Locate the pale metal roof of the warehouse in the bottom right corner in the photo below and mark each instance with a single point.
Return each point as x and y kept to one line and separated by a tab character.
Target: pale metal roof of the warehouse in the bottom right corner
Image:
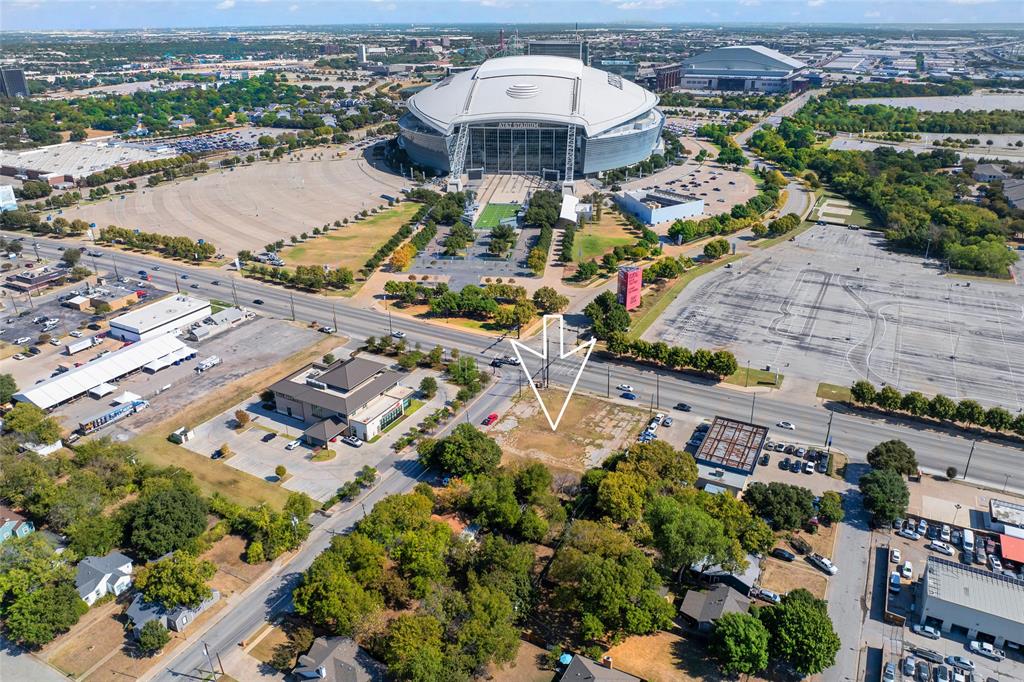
975	589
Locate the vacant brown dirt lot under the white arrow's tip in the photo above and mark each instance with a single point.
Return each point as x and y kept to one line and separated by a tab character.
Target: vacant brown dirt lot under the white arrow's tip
590	431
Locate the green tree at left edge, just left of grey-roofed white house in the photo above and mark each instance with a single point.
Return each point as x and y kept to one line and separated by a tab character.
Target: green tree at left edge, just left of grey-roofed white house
38	617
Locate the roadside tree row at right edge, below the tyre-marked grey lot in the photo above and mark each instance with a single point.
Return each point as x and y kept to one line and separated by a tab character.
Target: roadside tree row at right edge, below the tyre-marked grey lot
940	407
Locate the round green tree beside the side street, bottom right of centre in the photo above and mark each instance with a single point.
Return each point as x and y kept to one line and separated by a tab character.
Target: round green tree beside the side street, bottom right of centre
801	632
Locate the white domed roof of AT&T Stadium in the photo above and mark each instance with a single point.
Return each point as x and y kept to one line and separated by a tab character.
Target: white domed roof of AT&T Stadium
541	90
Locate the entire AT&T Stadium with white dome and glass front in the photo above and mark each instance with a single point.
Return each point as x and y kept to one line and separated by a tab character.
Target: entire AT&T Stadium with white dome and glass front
545	116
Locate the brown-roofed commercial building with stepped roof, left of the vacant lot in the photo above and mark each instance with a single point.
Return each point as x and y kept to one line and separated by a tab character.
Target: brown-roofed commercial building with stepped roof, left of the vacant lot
357	397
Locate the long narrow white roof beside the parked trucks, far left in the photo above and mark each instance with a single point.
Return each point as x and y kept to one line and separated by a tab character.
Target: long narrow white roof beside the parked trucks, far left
109	368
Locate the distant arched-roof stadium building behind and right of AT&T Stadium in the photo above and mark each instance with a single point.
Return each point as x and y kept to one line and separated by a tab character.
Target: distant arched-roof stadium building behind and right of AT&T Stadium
745	68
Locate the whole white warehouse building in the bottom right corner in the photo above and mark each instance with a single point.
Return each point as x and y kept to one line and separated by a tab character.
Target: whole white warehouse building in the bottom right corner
974	603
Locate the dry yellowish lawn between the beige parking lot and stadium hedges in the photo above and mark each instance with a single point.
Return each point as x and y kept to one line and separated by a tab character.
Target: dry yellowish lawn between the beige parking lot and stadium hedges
352	245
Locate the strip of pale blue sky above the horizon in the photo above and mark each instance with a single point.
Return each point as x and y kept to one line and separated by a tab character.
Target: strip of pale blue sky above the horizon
45	15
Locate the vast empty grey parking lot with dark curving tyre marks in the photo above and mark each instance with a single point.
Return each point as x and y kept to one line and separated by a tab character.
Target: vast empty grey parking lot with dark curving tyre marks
836	307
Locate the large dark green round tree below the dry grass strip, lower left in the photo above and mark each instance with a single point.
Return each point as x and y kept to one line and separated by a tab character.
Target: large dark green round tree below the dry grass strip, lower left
164	521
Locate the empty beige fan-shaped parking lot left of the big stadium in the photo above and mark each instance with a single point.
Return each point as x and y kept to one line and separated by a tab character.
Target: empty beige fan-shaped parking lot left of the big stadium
254	205
